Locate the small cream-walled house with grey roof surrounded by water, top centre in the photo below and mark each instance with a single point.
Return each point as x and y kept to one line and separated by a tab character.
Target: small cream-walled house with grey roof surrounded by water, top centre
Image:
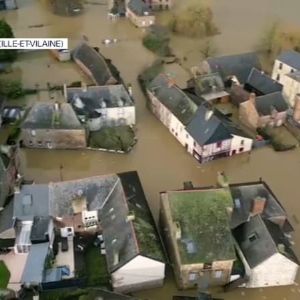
139	13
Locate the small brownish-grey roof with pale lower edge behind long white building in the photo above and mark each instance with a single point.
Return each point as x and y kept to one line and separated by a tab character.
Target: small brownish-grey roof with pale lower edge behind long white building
210	86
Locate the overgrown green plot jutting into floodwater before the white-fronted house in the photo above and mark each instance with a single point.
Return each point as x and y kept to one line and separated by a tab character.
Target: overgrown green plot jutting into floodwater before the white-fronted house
114	138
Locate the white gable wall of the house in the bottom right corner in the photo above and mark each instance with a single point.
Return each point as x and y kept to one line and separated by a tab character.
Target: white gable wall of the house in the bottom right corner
275	271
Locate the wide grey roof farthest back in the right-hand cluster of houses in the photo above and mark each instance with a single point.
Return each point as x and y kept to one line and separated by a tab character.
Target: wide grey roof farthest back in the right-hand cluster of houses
239	65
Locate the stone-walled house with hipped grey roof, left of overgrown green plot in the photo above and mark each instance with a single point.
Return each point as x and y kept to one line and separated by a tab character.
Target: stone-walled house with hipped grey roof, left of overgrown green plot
52	125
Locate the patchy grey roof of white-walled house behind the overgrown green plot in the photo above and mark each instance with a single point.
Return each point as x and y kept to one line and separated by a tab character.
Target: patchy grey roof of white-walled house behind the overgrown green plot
98	97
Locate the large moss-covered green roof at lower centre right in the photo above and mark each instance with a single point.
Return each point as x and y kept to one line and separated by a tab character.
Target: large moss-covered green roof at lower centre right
203	220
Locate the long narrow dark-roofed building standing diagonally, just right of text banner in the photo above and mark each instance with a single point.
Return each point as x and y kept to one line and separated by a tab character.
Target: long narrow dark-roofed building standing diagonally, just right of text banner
94	65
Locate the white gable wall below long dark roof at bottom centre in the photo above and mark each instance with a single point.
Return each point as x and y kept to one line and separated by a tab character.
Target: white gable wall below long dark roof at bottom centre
140	270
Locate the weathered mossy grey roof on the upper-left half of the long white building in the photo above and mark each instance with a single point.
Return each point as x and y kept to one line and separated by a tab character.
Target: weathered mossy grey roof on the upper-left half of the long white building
173	98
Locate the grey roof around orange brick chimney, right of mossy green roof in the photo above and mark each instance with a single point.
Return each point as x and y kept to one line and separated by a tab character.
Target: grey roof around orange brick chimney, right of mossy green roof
243	195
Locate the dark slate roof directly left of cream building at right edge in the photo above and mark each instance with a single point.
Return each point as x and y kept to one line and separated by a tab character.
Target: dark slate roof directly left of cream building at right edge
262	83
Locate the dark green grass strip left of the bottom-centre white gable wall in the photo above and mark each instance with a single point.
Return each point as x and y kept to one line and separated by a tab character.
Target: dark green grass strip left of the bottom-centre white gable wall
96	268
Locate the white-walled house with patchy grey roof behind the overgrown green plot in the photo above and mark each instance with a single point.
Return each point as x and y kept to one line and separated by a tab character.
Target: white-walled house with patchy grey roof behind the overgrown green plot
99	106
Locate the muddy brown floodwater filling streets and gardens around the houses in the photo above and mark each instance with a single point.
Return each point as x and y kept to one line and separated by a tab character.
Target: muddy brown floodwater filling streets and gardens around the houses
161	162
